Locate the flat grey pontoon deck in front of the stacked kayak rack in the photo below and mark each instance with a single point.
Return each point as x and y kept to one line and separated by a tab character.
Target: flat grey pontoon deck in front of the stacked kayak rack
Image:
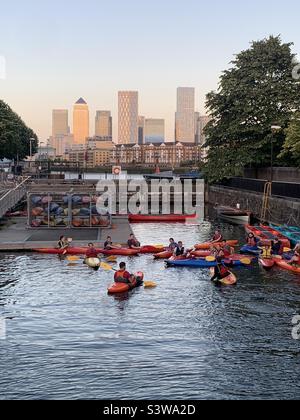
15	236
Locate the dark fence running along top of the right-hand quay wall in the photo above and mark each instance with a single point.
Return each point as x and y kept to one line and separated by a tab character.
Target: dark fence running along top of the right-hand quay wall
280	189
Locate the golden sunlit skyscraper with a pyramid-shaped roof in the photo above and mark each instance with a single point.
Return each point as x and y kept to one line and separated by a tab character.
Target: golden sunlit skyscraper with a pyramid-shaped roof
81	121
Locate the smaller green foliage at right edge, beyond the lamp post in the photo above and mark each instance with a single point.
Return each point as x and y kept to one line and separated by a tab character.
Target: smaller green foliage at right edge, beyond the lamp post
291	145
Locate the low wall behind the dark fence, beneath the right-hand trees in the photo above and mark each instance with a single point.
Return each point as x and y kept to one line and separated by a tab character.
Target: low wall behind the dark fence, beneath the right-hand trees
279	174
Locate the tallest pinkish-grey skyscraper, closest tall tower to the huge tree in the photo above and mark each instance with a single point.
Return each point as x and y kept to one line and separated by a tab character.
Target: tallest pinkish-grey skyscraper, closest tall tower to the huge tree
185	115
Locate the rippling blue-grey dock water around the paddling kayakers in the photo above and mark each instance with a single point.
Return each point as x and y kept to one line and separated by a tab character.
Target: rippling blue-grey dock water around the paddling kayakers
185	339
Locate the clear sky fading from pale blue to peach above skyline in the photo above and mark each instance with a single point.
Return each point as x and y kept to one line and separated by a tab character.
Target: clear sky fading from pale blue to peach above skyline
57	51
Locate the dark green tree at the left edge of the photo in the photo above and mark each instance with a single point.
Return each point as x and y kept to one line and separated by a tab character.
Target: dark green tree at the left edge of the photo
15	136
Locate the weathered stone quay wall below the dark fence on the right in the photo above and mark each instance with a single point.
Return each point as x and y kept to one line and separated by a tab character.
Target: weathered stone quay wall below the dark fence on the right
281	210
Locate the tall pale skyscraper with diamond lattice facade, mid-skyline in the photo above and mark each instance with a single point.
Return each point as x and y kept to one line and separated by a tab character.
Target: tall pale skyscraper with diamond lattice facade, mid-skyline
128	117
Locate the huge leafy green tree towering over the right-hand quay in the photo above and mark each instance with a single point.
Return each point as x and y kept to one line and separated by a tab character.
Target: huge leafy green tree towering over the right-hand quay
257	92
